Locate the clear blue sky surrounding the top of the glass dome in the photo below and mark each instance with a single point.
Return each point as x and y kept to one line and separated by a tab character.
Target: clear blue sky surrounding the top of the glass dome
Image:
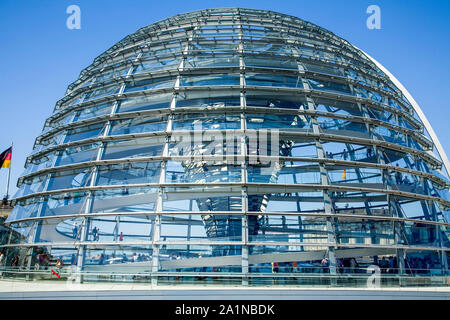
39	56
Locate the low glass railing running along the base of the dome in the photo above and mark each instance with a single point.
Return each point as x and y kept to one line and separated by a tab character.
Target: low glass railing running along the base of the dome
347	279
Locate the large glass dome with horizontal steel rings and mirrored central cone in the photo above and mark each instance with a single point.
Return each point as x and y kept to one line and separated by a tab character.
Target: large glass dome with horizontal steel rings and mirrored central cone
233	142
